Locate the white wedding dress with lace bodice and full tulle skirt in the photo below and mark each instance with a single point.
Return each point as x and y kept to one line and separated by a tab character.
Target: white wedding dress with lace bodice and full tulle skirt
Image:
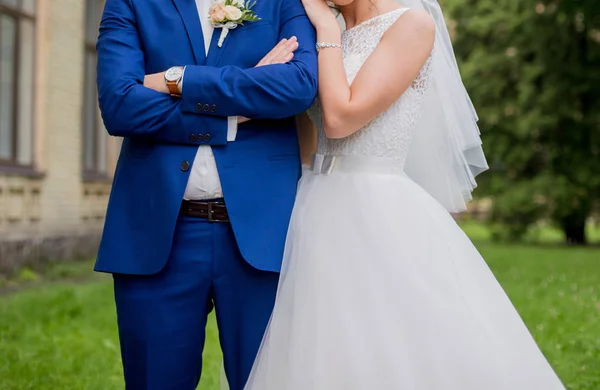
380	289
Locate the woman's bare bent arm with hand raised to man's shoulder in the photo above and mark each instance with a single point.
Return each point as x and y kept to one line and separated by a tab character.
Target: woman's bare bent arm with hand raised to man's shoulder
384	77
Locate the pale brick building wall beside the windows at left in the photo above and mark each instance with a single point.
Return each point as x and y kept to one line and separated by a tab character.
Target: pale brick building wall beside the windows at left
51	209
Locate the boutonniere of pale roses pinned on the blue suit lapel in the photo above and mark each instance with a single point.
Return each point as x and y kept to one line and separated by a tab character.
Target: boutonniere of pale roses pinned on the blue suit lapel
228	14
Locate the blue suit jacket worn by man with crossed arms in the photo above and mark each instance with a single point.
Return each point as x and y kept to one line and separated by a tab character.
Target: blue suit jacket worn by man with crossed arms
259	171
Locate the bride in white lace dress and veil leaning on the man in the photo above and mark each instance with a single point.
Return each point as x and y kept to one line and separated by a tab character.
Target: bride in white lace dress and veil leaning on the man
380	289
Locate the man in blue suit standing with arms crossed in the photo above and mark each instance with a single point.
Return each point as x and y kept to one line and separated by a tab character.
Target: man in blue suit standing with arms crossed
199	208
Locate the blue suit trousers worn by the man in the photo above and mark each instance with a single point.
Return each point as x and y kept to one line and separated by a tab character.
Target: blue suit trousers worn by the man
162	317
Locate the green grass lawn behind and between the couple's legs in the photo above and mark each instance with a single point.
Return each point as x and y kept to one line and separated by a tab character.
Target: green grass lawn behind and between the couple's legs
62	335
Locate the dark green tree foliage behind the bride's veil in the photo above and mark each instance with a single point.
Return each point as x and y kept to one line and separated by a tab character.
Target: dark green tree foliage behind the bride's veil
533	71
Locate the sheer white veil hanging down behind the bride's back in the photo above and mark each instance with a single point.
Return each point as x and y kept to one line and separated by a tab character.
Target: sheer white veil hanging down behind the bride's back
445	154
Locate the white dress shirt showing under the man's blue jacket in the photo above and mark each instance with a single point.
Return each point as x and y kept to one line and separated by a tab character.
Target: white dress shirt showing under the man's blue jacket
204	182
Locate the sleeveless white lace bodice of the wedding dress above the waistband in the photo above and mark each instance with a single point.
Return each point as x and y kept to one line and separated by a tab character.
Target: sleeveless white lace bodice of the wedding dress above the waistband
389	134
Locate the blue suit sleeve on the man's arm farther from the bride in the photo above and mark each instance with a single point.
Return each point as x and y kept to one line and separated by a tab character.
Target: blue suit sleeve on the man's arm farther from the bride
128	108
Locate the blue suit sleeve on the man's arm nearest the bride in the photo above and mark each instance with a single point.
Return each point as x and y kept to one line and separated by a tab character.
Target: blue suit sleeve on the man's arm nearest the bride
267	92
